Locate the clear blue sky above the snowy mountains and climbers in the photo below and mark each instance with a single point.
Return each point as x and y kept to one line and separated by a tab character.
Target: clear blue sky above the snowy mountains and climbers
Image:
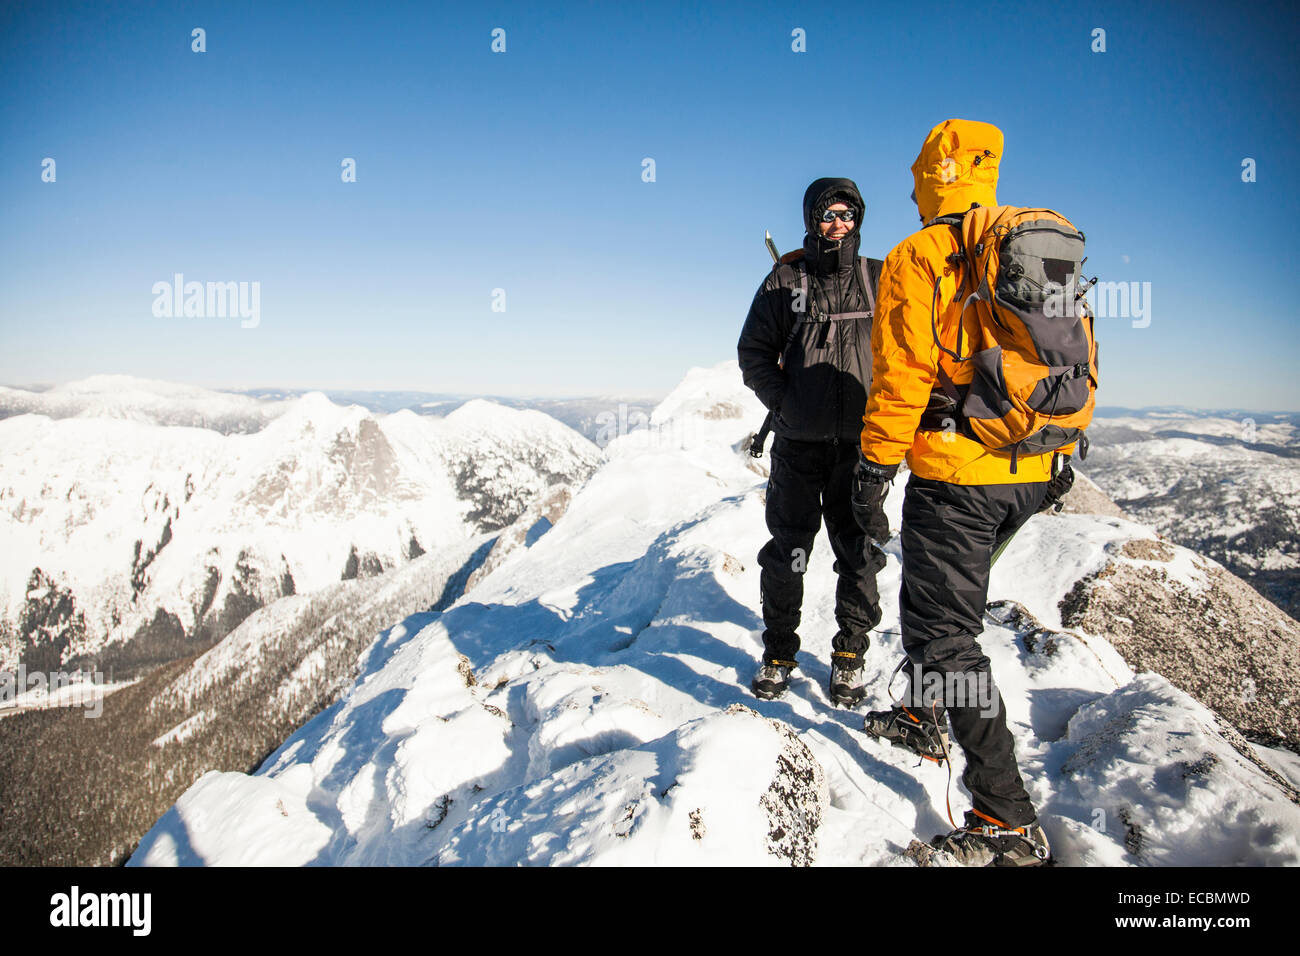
522	171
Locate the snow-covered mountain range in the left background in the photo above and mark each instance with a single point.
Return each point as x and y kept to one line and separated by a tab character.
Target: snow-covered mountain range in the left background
125	529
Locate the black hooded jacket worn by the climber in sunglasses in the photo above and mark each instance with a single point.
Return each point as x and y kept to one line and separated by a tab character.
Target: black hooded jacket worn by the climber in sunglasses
821	395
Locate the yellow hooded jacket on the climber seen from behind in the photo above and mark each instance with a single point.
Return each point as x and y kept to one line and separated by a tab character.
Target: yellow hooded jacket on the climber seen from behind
903	341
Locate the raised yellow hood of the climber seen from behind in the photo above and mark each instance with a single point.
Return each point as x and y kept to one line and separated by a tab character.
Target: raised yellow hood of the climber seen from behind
954	171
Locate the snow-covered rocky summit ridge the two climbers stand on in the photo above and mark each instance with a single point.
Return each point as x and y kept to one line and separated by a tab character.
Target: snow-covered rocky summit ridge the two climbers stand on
587	703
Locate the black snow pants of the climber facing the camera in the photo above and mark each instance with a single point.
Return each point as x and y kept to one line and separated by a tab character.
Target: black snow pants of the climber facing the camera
812	481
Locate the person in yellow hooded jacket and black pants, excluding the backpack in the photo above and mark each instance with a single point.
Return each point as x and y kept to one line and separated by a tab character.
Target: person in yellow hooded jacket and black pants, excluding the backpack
961	503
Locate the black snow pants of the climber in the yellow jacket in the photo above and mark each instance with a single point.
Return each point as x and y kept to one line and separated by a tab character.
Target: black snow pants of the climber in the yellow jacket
950	534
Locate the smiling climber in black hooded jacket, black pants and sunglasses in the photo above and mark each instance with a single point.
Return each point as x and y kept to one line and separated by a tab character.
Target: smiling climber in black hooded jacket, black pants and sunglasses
807	353
